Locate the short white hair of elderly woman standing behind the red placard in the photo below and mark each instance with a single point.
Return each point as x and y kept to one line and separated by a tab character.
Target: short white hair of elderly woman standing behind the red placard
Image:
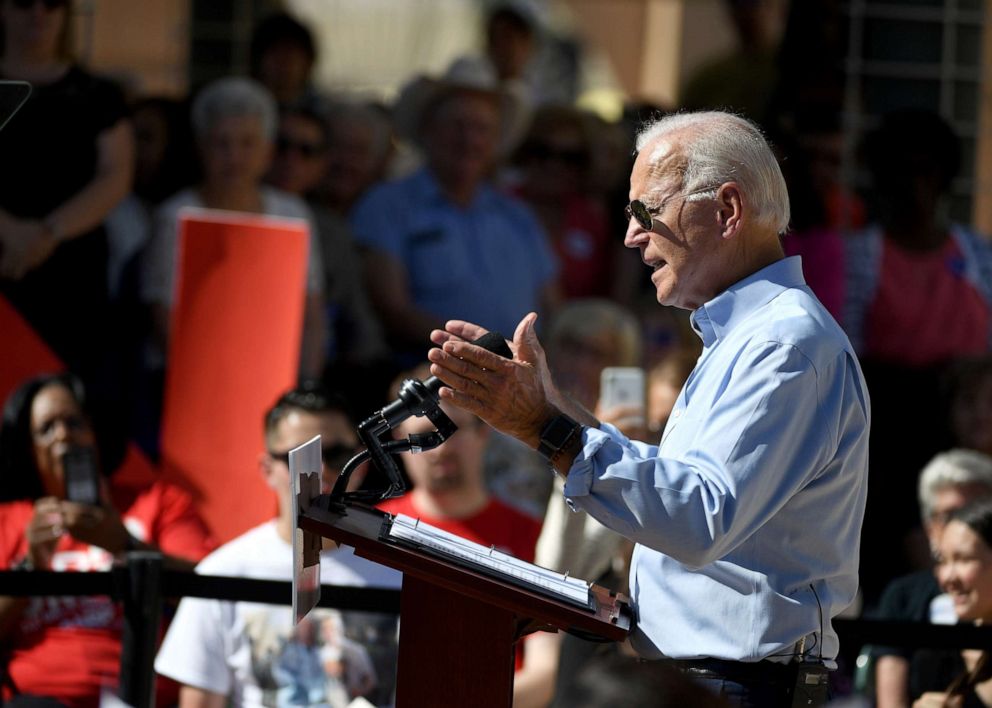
231	97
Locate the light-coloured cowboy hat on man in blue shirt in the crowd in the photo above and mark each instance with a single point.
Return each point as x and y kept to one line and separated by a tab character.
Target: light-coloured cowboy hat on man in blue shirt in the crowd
473	74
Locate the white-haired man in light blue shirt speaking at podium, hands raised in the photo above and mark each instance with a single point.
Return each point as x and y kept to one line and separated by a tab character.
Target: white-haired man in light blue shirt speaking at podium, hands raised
747	515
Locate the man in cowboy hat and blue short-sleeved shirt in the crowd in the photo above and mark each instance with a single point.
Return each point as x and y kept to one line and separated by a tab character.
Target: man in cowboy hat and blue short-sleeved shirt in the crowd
443	242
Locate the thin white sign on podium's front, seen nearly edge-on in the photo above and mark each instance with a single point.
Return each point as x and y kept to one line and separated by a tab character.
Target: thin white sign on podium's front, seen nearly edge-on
304	479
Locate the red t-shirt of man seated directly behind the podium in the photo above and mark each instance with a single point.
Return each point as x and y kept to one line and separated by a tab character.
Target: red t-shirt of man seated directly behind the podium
496	524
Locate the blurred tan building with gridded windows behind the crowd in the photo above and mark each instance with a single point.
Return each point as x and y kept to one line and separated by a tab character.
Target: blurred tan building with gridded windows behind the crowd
892	53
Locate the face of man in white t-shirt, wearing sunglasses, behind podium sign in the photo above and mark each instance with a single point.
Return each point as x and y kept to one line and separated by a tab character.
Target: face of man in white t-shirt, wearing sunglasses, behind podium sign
296	428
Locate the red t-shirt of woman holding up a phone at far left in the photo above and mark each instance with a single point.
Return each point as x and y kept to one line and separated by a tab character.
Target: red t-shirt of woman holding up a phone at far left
68	648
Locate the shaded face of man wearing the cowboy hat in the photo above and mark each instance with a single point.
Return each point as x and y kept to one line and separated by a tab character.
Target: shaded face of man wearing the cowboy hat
461	136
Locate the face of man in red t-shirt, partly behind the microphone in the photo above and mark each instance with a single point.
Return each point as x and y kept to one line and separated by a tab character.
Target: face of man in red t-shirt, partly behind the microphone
455	466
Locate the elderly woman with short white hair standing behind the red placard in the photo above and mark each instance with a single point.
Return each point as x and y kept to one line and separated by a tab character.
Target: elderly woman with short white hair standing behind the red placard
234	123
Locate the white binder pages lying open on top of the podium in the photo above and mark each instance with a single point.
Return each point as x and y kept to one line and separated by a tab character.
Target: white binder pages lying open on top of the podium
488	560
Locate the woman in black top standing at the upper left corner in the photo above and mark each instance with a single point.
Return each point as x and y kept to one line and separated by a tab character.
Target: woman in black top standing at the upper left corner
65	162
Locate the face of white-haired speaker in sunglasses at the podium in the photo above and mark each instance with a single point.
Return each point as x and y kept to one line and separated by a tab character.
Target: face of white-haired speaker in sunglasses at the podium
684	248
